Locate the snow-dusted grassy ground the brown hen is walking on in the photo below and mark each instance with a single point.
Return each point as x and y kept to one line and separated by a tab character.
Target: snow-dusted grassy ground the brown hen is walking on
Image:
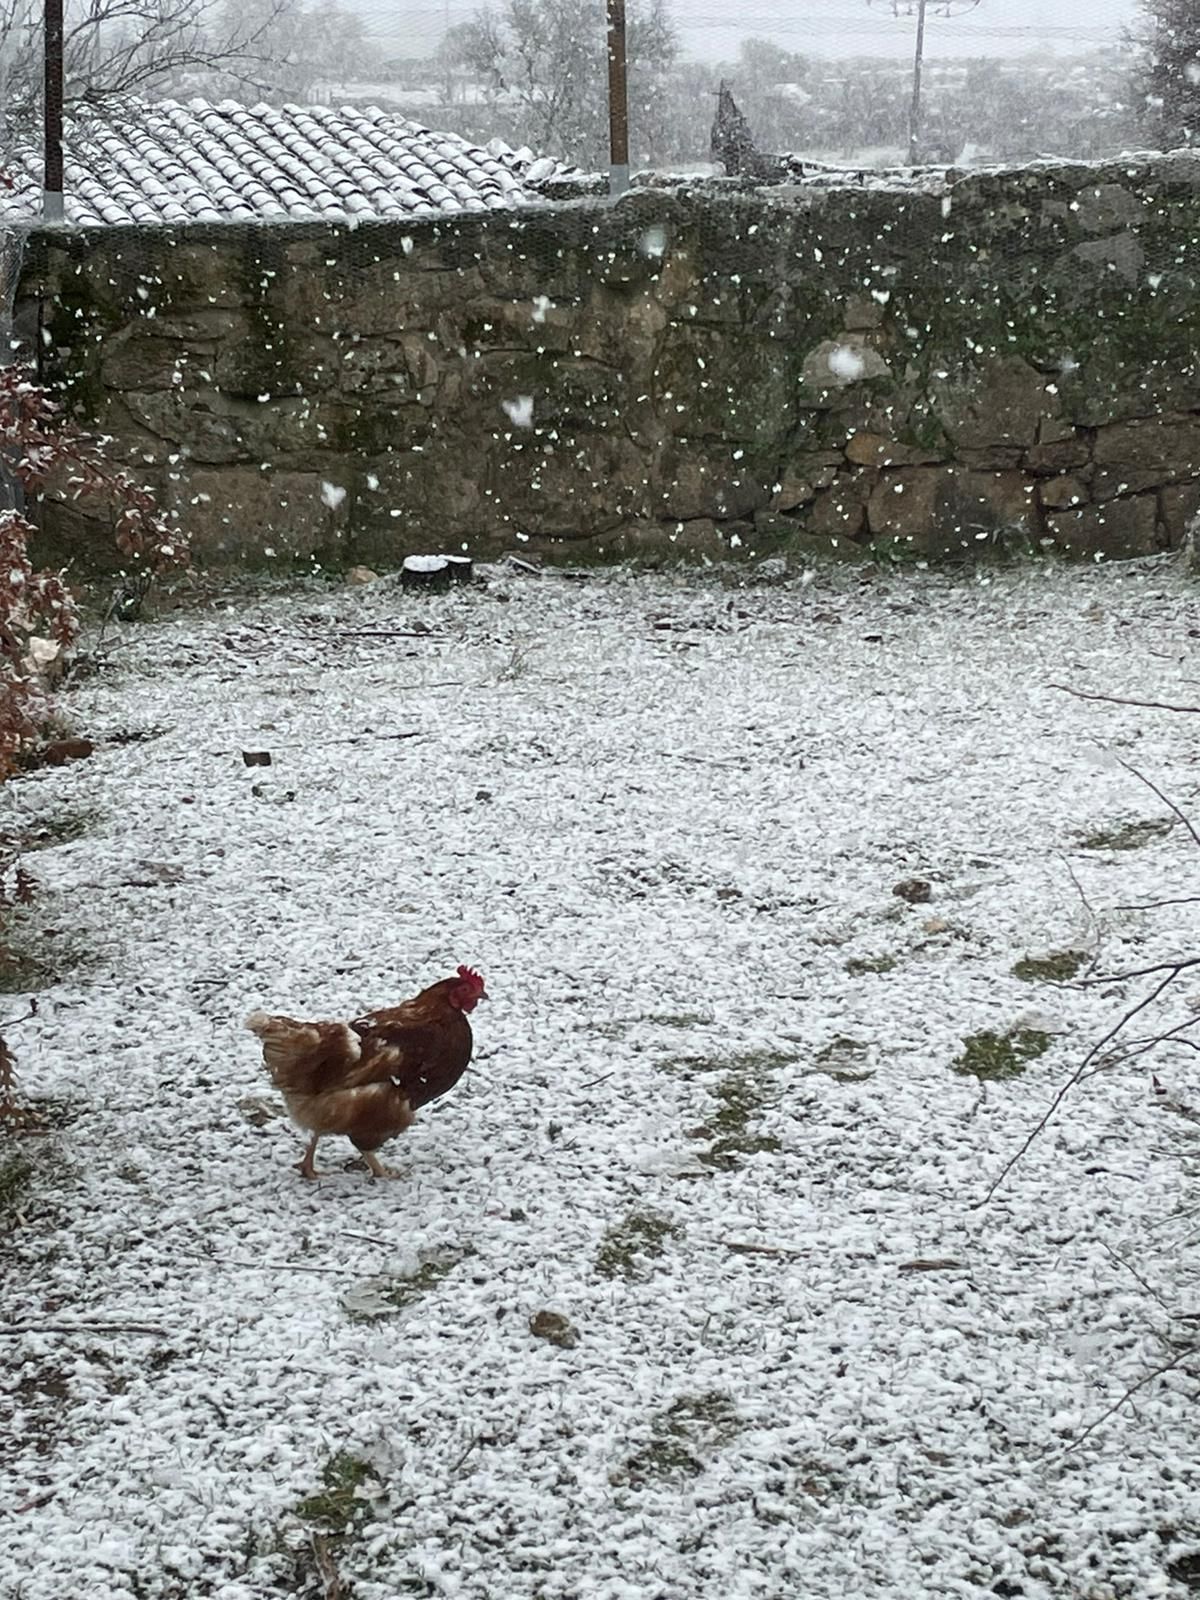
713	1121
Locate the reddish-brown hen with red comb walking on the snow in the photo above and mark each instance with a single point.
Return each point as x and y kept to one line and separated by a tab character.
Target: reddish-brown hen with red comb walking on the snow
367	1079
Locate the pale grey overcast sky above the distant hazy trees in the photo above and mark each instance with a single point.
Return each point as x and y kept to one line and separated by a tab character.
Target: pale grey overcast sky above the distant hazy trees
711	30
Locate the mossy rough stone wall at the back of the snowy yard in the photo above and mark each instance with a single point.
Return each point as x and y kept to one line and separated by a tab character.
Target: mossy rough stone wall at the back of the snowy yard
694	372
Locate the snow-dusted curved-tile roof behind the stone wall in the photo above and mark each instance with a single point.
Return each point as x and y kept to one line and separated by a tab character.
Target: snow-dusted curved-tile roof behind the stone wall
174	164
